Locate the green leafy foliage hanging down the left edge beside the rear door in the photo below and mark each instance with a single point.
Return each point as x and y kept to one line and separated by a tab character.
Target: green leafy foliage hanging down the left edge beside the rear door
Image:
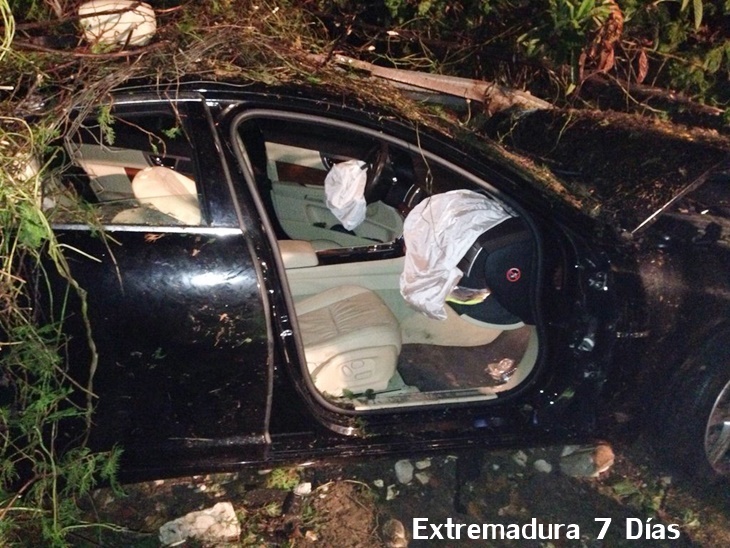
39	484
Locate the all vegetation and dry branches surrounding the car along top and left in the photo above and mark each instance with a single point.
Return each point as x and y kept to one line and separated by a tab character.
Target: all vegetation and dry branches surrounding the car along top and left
554	48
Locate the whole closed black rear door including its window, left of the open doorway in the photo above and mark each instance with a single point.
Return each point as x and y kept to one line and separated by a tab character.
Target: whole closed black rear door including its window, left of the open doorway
177	317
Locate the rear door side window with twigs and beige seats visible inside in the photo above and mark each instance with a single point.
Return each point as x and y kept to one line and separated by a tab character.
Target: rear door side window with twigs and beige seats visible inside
132	169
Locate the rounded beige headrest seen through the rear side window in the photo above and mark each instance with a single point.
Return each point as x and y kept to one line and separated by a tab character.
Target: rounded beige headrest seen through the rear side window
169	192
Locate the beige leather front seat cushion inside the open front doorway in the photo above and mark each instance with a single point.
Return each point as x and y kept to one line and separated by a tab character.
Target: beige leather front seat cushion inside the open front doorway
351	340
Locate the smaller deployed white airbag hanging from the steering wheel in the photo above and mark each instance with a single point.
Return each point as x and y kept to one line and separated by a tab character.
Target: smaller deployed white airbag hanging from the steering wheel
344	188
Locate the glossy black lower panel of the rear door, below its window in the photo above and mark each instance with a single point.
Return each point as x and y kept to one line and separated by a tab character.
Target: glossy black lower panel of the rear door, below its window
178	325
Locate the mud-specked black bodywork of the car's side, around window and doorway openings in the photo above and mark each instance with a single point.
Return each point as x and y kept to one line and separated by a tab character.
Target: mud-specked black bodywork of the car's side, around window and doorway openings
200	366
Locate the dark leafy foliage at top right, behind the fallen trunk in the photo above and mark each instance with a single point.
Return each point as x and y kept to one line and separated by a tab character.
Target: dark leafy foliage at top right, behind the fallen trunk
544	45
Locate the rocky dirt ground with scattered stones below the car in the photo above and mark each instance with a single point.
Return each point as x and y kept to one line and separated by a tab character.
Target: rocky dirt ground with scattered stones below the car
375	504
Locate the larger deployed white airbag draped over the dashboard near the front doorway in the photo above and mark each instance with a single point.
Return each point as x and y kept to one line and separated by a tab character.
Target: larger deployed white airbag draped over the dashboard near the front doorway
438	232
